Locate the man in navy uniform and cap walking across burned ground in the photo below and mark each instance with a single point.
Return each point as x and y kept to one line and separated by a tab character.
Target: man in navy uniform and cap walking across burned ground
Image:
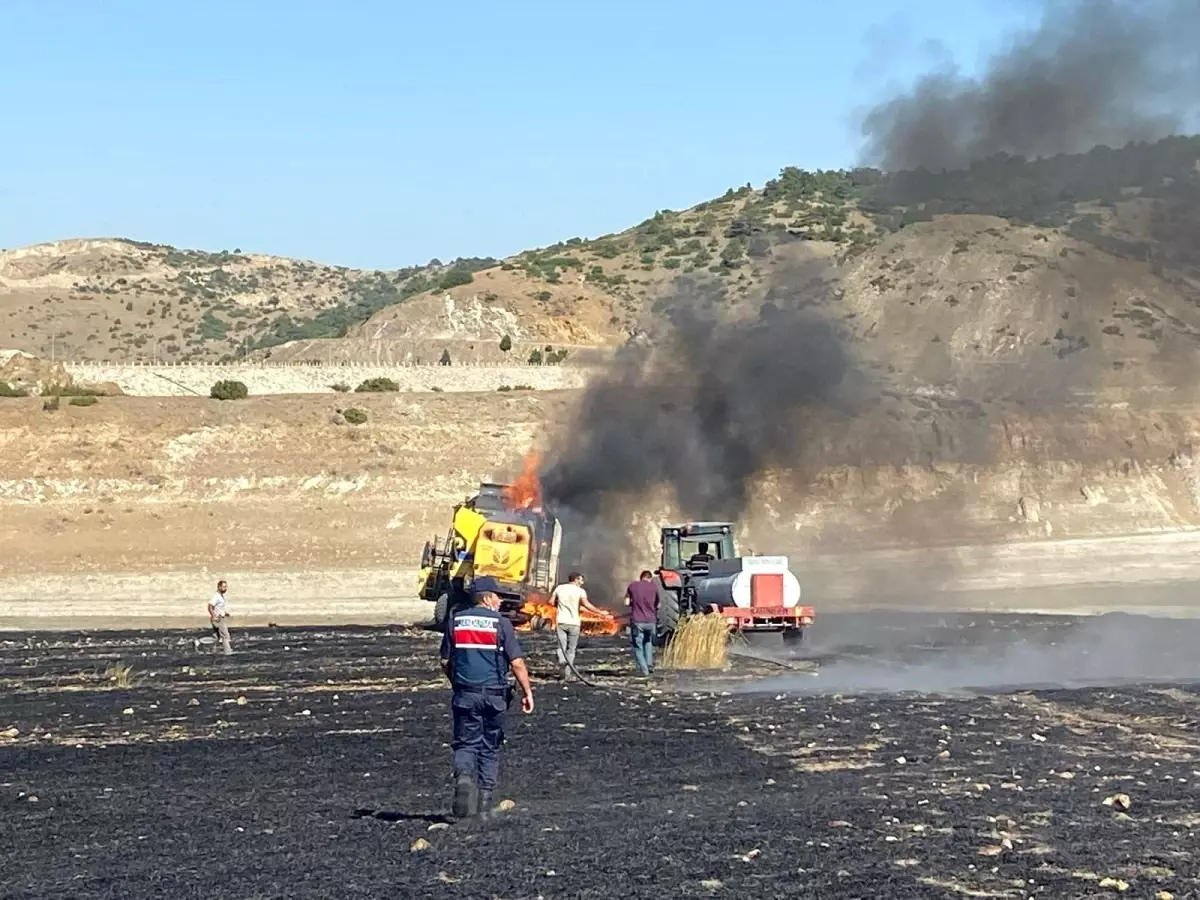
478	650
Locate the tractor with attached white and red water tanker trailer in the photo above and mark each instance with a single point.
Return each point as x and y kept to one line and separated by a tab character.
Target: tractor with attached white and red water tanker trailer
701	573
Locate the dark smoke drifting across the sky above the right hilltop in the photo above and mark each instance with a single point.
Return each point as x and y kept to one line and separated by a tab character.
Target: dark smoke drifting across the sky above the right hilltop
1094	73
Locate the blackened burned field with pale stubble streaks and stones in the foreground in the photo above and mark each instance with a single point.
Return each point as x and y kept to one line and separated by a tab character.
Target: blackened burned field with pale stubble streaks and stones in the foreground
315	764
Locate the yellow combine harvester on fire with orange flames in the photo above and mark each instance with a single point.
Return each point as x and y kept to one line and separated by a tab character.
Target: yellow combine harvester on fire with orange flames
502	532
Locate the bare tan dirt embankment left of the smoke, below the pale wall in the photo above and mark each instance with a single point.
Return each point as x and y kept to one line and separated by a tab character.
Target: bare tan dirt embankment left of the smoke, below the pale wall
145	483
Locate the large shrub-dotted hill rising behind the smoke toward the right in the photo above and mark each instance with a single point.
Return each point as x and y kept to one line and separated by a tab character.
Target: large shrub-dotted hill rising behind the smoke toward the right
944	271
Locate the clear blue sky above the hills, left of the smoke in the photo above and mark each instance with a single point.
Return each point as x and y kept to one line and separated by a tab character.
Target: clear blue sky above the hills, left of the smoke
379	135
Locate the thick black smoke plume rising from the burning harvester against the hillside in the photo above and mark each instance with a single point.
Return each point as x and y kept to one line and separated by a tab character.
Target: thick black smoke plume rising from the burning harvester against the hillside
701	410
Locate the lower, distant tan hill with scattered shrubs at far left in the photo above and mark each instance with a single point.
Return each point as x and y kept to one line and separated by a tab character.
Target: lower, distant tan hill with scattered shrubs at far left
115	299
